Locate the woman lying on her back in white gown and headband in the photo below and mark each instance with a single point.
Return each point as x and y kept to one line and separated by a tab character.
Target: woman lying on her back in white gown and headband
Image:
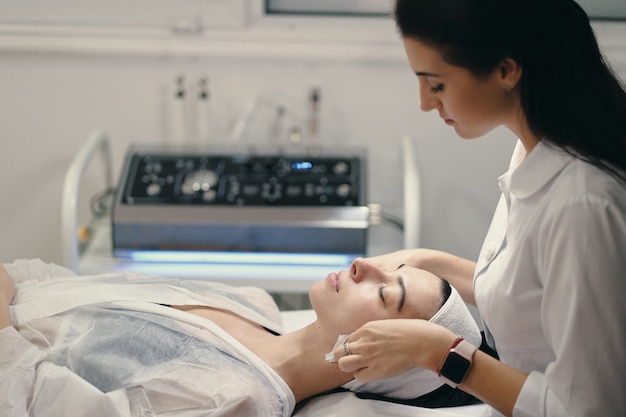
125	344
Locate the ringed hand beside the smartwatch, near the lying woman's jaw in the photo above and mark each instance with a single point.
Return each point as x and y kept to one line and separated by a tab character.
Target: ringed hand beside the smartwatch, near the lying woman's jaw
386	348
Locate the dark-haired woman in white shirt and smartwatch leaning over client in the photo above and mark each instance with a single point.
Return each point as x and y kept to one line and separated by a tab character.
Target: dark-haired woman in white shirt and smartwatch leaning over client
551	276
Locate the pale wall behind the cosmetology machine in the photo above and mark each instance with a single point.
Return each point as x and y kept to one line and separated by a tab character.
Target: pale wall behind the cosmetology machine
53	93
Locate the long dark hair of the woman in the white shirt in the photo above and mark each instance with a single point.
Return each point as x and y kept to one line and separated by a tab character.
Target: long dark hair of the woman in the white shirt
568	92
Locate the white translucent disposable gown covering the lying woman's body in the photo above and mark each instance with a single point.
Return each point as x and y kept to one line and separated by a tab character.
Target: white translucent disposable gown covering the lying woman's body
108	348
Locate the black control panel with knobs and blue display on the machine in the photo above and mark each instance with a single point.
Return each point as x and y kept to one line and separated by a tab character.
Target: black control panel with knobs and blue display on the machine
242	180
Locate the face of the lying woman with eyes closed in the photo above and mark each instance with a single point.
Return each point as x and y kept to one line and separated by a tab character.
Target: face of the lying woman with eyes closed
346	300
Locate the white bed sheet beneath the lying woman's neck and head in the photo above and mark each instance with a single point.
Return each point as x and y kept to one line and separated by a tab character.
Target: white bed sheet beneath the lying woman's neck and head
346	404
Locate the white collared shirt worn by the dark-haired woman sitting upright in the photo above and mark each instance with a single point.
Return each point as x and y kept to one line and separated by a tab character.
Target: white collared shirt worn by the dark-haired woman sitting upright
550	284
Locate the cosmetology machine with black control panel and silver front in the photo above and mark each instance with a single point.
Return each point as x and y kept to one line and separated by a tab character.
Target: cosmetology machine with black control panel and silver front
175	202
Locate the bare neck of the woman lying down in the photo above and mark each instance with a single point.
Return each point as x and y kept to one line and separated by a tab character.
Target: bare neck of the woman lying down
299	358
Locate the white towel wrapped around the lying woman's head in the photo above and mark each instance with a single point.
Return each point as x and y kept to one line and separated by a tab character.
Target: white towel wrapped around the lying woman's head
416	382
